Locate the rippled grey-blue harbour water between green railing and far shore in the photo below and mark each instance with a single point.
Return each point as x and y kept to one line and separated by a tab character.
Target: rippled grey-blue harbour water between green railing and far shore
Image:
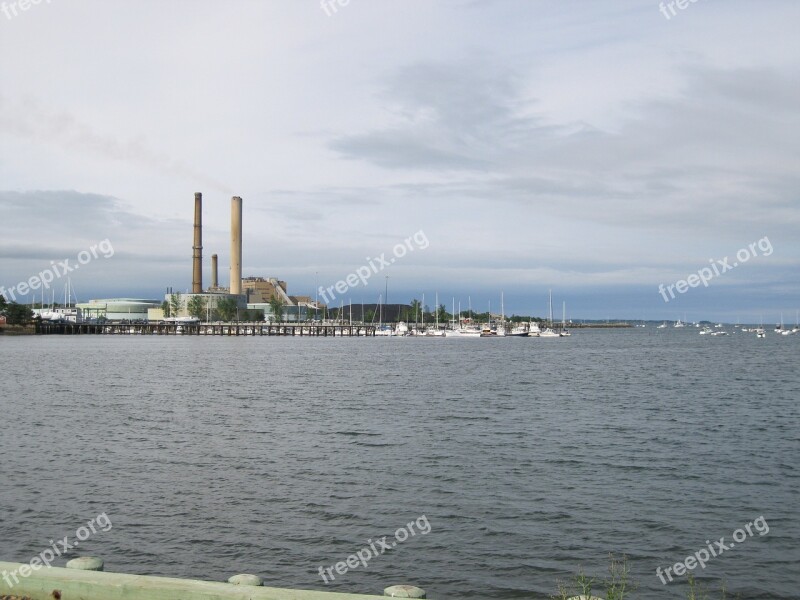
530	459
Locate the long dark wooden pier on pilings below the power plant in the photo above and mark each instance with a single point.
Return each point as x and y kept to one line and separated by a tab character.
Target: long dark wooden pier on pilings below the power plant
223	329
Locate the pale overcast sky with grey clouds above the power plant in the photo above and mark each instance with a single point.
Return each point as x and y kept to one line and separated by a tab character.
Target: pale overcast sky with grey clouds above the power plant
596	149
